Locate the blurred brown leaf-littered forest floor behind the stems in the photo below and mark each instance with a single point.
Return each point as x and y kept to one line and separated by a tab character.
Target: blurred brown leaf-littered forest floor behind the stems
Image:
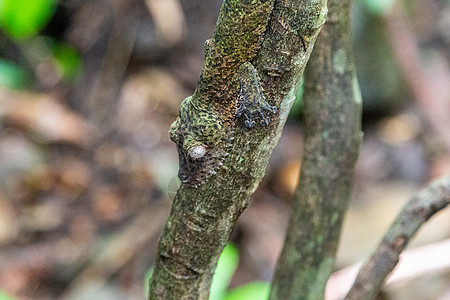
88	90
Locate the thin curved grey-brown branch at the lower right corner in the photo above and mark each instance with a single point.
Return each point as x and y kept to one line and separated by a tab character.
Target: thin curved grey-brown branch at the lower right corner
415	213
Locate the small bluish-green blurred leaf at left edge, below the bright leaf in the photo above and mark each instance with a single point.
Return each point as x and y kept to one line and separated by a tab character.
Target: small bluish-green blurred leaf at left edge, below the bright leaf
13	76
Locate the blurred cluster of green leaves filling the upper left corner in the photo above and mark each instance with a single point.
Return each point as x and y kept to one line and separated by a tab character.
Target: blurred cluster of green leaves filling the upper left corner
21	21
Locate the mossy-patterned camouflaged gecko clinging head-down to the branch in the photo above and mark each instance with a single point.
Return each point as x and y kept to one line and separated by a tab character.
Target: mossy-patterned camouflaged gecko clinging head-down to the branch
228	88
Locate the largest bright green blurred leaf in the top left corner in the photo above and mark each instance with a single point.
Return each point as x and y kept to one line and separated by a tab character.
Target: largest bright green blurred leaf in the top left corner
22	19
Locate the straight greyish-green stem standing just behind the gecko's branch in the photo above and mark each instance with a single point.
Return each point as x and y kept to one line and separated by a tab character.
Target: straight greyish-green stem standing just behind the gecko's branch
332	140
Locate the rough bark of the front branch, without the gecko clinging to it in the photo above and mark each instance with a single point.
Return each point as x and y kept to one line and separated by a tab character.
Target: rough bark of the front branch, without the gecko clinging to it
202	218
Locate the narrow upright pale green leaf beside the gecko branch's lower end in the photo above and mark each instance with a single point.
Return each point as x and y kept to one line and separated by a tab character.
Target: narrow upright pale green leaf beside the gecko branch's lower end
226	266
